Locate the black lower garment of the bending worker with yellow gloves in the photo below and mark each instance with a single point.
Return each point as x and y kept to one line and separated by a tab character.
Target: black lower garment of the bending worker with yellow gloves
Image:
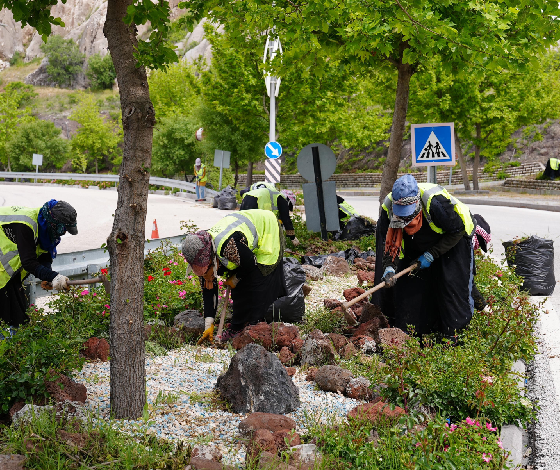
254	294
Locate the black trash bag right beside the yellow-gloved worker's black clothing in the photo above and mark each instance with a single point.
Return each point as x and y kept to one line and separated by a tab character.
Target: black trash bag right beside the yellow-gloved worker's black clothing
291	307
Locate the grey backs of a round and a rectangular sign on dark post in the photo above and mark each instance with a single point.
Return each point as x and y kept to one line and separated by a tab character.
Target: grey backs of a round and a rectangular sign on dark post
317	162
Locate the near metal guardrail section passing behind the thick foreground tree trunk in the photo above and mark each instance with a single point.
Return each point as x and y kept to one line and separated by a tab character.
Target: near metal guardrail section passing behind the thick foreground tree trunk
85	264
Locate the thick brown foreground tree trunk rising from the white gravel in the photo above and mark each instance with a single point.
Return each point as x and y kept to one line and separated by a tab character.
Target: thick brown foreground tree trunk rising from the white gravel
126	241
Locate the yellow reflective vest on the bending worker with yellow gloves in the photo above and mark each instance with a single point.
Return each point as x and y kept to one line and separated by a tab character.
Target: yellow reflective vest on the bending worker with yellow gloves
259	227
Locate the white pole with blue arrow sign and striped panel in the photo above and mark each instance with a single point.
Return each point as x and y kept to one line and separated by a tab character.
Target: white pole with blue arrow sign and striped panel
272	167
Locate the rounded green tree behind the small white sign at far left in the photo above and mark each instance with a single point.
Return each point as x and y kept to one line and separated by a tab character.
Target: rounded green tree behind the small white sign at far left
41	137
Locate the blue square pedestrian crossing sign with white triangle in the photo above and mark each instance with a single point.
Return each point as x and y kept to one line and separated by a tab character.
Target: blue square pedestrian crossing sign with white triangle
432	144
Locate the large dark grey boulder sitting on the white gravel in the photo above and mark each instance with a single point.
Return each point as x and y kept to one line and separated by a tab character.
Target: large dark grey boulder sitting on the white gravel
257	381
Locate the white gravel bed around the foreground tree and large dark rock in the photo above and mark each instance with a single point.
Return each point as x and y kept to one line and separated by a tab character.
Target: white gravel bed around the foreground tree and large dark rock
190	374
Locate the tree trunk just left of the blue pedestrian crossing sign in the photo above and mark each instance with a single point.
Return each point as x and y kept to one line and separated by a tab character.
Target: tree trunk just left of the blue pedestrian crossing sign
391	166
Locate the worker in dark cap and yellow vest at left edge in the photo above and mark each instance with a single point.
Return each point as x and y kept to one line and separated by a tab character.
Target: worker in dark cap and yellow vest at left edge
28	239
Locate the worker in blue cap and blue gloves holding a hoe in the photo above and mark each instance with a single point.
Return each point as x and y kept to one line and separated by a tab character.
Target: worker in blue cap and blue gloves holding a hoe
423	223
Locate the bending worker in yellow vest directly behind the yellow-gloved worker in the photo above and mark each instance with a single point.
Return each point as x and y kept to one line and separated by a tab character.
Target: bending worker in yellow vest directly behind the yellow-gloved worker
281	203
